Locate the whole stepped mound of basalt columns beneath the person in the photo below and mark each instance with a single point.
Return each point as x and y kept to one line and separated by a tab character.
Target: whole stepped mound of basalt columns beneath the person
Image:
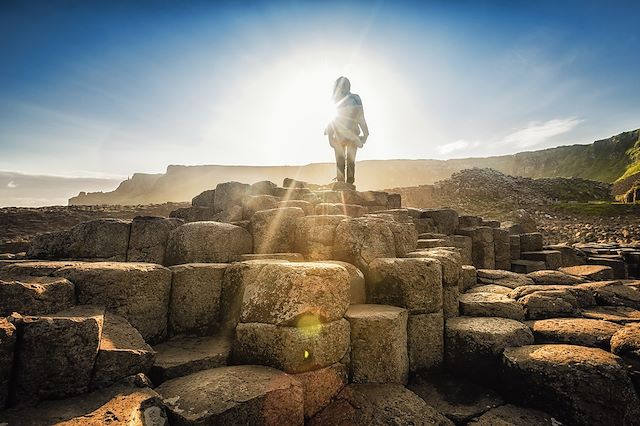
299	304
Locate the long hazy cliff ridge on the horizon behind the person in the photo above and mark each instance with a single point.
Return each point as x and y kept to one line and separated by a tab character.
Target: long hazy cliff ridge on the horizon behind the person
605	160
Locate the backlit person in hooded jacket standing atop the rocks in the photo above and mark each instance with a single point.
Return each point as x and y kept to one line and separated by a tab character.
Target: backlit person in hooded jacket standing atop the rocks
348	131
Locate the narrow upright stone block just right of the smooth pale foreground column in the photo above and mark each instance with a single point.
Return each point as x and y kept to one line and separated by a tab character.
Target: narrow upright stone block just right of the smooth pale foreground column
425	340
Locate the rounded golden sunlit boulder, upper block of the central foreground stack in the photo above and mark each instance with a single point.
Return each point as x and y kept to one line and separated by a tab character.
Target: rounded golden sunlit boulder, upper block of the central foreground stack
289	294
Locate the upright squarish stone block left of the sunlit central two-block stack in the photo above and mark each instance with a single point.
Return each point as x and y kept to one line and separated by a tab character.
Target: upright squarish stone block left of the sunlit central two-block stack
194	306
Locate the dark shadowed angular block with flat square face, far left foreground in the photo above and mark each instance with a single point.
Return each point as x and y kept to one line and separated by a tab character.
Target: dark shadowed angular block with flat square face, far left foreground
56	354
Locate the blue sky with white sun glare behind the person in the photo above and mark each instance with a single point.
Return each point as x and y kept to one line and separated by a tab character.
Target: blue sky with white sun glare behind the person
92	88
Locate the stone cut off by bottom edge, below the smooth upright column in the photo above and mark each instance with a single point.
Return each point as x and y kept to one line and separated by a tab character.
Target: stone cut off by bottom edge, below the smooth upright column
378	405
